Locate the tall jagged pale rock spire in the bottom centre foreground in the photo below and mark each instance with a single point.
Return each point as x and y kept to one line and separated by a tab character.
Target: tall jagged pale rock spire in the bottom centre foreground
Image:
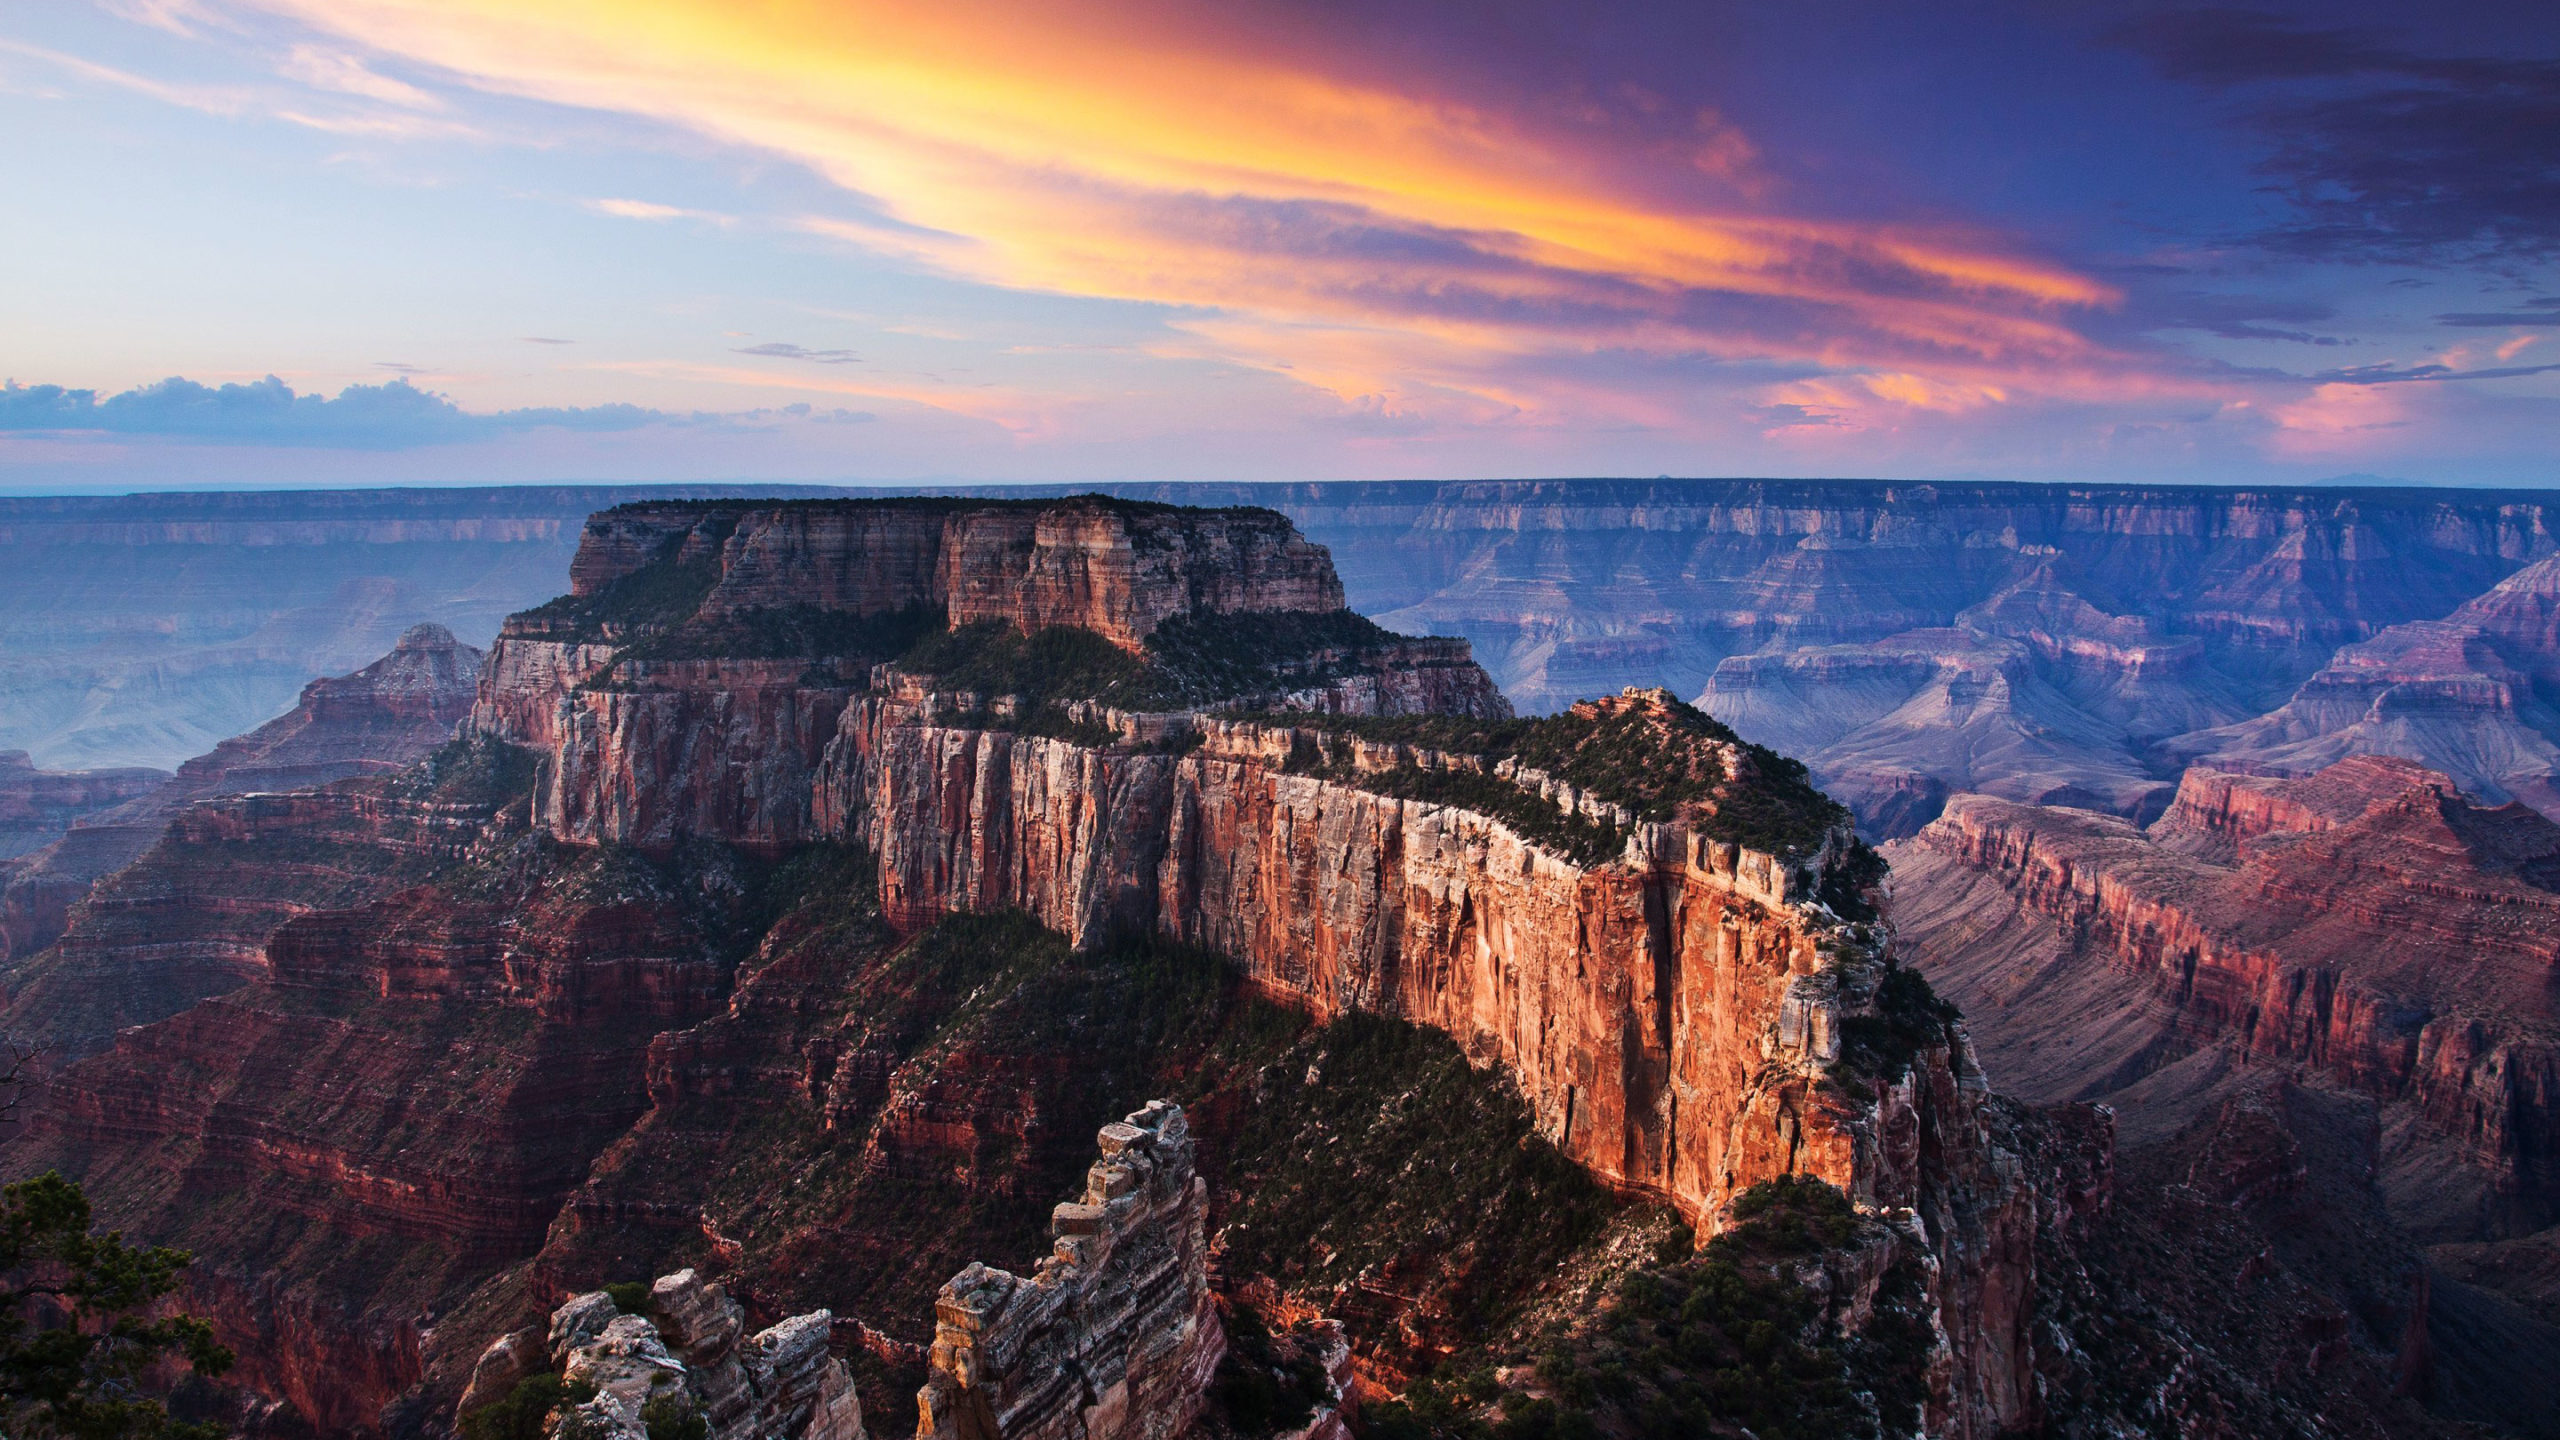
1115	1334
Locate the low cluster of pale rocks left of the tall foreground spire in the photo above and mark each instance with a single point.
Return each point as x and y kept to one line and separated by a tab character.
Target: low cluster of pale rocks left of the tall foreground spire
692	1357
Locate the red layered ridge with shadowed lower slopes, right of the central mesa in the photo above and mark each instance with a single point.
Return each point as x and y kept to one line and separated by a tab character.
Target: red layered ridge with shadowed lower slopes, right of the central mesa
2351	965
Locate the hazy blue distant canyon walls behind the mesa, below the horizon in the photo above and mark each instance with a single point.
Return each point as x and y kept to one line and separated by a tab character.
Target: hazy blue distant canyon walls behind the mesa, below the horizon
2054	644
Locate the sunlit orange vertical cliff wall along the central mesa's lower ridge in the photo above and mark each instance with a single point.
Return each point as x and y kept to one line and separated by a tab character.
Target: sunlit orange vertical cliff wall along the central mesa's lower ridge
1670	1019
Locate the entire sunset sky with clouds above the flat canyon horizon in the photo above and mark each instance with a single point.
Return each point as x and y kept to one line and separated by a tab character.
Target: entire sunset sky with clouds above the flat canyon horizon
472	242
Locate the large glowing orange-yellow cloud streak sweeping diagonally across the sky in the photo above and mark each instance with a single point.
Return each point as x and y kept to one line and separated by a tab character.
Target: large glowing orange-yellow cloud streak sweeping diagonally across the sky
1117	150
